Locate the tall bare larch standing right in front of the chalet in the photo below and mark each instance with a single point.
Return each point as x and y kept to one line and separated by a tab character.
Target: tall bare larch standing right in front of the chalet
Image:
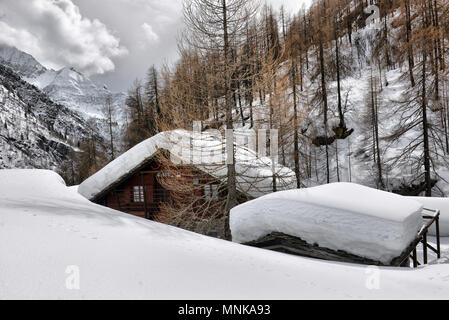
219	27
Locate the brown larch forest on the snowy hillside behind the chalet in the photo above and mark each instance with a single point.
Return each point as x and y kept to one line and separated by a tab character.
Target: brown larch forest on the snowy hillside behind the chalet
353	98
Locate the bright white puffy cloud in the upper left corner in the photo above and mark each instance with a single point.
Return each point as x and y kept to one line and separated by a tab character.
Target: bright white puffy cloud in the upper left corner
56	34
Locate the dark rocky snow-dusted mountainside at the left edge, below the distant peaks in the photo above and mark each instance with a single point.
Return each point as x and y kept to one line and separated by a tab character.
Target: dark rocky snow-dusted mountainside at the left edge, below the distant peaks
35	132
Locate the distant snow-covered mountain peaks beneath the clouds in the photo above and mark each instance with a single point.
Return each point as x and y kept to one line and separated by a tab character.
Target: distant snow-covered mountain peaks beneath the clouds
66	86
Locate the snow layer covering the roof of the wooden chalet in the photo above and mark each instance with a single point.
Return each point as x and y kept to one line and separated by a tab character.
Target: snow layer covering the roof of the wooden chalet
254	174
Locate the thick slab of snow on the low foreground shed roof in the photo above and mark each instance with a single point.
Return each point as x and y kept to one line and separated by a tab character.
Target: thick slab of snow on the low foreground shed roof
340	216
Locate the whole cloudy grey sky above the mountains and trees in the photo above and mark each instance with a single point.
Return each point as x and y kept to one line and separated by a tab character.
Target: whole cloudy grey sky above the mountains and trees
113	41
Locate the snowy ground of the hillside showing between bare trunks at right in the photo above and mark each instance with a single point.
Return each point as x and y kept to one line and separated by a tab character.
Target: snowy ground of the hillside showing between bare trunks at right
354	159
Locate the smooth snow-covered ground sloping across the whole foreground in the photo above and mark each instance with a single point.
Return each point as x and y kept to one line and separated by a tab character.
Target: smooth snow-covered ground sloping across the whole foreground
49	234
